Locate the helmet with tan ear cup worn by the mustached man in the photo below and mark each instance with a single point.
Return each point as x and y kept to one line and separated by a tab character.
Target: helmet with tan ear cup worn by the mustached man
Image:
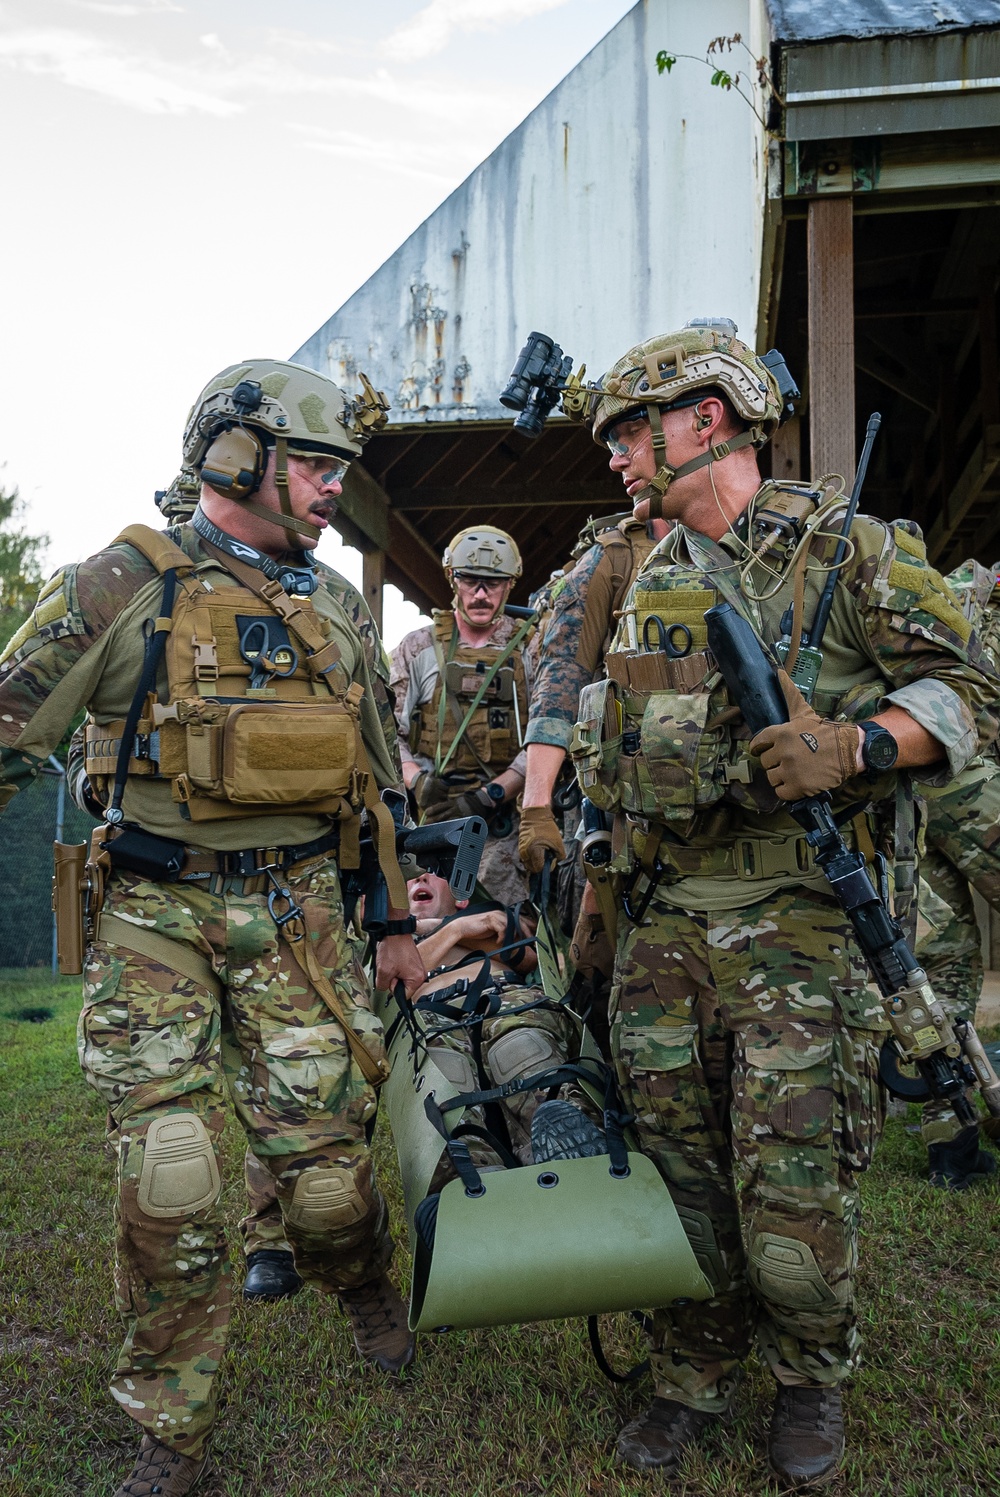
264	403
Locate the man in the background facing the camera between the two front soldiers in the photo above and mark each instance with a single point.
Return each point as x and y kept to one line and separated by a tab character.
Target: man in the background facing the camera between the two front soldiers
462	703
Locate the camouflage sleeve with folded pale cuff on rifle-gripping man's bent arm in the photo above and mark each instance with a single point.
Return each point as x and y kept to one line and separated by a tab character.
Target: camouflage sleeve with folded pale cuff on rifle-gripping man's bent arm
921	641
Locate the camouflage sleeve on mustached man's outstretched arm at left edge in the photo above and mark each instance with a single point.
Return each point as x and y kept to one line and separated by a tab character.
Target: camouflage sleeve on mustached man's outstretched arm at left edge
52	667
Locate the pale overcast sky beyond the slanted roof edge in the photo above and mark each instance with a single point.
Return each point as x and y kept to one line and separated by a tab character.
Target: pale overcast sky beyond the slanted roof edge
189	185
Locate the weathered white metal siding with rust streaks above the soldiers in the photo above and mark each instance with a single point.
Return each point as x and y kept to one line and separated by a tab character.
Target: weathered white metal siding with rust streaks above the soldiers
624	206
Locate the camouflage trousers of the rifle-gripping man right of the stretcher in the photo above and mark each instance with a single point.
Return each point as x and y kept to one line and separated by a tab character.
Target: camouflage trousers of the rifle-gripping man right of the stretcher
748	1049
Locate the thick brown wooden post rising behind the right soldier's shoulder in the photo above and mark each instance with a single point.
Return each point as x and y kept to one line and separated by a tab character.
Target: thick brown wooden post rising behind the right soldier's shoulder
832	338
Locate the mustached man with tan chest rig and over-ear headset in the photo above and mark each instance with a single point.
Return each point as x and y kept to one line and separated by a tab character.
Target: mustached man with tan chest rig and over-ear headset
219	962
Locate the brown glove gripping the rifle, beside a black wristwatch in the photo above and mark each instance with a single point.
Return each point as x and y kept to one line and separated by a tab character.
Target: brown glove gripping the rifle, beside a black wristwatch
809	754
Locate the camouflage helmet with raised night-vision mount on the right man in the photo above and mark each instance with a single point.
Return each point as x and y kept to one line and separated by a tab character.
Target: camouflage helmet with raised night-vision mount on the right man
673	371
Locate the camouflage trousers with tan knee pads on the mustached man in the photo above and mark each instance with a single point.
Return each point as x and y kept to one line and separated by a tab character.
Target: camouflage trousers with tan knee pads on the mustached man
167	1055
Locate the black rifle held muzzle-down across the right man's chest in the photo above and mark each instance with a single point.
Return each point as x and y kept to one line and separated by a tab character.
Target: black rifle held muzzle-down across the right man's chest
948	1058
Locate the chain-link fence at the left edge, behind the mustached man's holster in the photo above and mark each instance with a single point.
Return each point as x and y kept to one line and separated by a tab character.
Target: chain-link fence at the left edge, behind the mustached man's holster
41	815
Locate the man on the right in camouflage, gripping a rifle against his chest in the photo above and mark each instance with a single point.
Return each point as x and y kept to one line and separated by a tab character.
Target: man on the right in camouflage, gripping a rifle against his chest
746	1035
